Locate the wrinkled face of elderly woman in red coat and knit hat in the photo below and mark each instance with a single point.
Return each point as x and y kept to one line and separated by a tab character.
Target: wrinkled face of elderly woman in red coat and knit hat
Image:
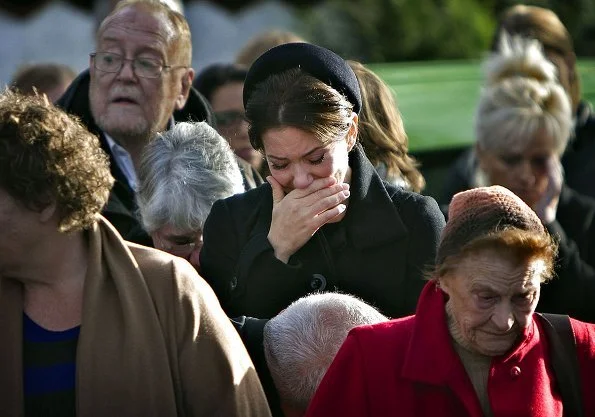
491	300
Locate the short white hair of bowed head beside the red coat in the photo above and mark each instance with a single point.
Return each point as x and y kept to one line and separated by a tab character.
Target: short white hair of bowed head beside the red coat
301	342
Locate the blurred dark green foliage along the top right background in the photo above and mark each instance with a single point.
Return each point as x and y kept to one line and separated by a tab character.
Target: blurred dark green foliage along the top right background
412	30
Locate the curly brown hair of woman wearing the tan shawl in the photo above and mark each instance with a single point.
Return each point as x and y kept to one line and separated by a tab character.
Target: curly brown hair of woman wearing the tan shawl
49	156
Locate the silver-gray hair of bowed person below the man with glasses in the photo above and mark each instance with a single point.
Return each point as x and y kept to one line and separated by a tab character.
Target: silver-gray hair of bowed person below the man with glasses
183	171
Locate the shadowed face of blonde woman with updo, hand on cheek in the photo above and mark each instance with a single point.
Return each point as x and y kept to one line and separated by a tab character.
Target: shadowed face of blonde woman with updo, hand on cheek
522	171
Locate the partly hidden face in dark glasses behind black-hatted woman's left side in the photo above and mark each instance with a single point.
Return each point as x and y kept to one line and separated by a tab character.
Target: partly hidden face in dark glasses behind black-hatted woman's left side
228	106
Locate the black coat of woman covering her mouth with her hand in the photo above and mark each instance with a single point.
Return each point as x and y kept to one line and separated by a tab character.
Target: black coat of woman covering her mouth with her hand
378	252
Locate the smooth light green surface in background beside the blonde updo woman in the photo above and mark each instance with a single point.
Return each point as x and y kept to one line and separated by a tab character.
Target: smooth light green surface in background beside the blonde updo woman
437	99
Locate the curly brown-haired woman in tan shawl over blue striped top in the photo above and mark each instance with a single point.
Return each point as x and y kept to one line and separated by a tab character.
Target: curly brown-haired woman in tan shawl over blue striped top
92	324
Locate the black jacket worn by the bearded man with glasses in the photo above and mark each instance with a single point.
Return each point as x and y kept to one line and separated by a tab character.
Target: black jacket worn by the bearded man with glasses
121	209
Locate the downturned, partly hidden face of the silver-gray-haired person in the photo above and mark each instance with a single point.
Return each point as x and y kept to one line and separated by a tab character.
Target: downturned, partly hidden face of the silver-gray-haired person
186	245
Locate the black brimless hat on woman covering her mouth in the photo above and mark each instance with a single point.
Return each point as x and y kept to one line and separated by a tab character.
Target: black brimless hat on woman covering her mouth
319	62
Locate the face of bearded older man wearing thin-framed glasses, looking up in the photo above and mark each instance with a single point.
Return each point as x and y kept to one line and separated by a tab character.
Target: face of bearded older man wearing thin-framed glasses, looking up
124	104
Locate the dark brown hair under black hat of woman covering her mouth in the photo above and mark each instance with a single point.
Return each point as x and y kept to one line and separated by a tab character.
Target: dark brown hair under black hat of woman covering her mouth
294	98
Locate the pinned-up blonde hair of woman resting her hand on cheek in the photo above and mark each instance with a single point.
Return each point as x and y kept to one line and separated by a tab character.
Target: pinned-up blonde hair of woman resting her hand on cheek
521	96
